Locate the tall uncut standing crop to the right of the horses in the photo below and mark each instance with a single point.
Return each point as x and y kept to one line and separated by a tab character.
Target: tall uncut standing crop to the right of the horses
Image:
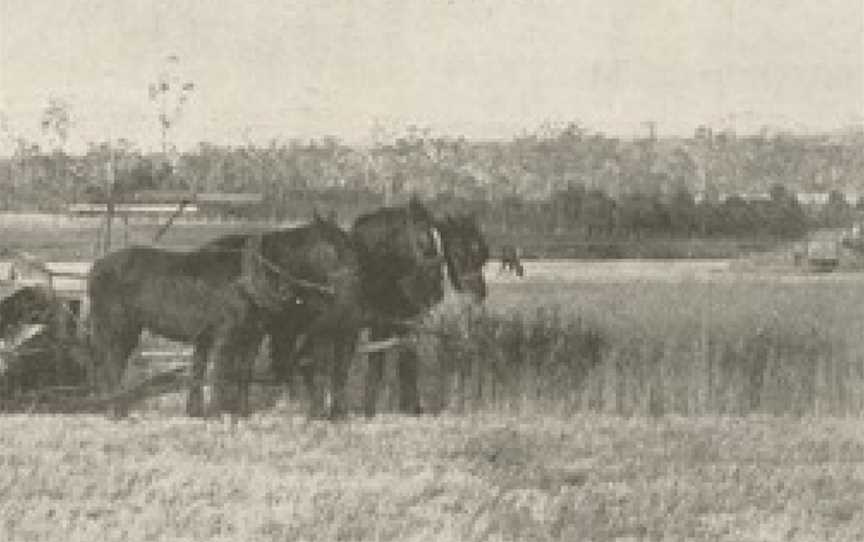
637	349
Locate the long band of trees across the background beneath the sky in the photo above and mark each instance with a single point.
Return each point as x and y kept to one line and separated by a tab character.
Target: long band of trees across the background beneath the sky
559	179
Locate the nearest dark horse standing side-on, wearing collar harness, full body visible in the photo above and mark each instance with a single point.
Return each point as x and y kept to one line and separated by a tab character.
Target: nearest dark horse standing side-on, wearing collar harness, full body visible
219	298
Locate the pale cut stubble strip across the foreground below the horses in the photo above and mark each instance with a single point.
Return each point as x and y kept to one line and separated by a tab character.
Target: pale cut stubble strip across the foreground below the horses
450	478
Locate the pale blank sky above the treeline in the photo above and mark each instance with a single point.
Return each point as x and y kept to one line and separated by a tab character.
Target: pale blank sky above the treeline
280	69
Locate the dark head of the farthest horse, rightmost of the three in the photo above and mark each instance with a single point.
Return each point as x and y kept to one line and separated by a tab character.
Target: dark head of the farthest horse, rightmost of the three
465	253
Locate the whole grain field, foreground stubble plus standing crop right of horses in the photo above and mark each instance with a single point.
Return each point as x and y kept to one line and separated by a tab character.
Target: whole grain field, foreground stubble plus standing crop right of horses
716	406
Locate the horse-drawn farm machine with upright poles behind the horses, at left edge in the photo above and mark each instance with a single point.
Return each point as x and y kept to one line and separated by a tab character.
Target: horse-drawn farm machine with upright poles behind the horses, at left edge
45	360
